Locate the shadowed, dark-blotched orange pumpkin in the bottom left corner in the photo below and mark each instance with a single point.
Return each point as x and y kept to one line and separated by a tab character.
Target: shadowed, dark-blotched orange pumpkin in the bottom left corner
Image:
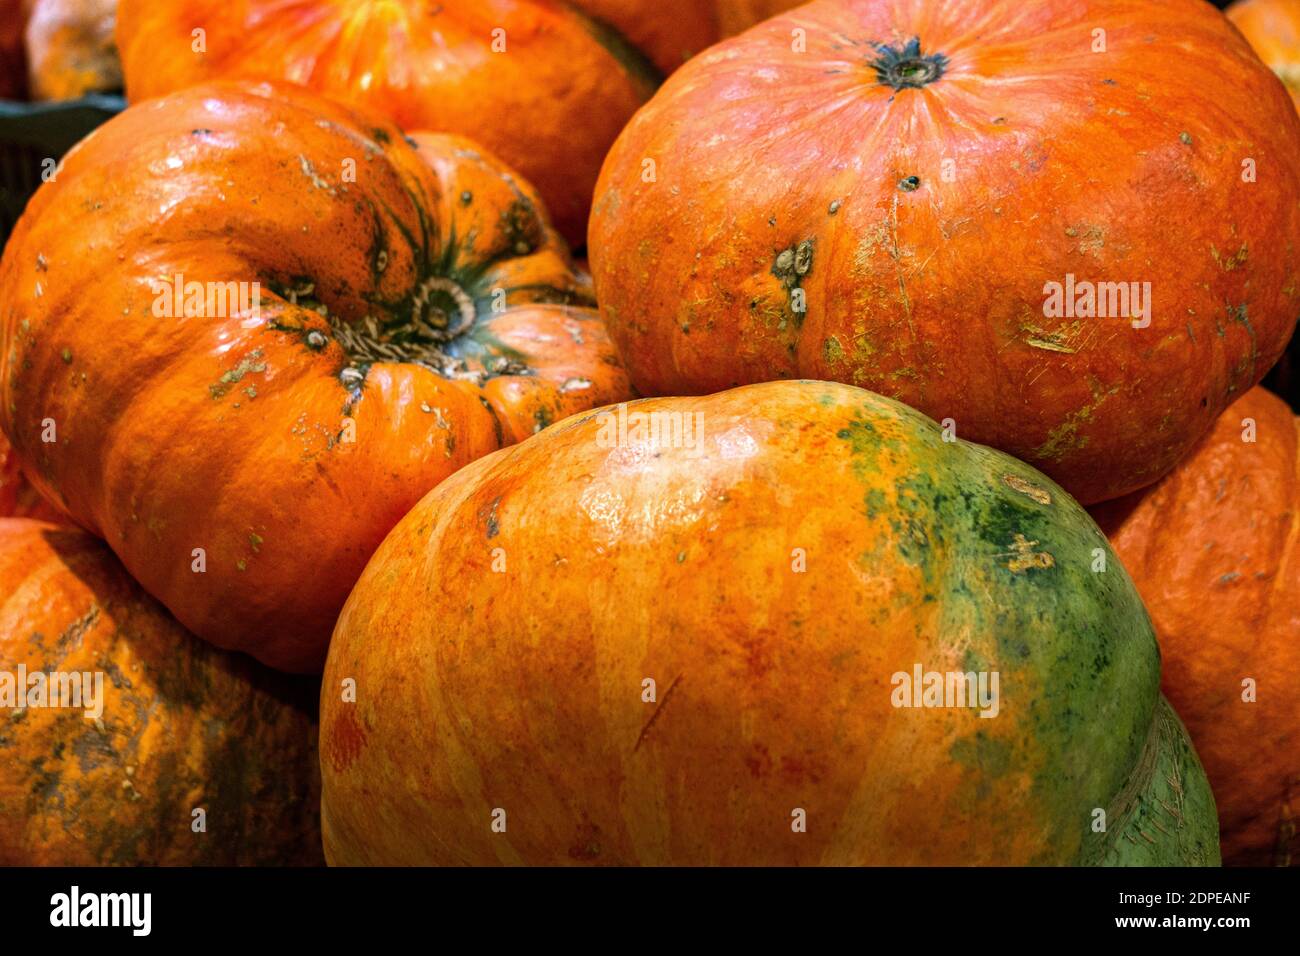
118	728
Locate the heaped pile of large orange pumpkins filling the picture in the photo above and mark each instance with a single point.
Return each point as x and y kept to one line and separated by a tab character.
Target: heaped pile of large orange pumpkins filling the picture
918	348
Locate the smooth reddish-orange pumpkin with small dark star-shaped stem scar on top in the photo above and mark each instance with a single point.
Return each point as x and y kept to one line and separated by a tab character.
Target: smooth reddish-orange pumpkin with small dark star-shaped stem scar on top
1080	258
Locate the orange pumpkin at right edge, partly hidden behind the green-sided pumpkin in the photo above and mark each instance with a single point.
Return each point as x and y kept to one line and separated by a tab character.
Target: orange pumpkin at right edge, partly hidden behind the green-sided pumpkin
1214	552
